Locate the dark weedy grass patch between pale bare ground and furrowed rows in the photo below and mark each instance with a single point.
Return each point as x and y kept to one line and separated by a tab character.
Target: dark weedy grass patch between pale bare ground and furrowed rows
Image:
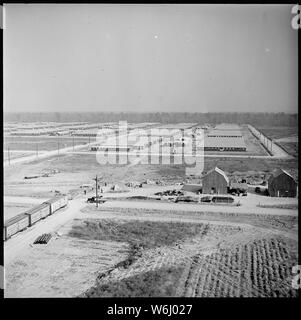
140	235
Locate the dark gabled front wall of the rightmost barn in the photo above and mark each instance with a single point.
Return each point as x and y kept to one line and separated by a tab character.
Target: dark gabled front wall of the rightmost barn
282	186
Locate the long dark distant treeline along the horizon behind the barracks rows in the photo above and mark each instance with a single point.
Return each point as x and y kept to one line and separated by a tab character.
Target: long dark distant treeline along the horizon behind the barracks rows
258	119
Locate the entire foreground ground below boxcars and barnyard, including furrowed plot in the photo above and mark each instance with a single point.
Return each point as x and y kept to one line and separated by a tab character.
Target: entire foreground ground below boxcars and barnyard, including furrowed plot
128	251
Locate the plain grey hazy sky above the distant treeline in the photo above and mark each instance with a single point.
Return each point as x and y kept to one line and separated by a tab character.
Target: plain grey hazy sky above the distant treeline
204	58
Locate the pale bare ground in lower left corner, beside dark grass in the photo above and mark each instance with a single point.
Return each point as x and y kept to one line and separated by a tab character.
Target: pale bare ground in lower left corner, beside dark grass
66	267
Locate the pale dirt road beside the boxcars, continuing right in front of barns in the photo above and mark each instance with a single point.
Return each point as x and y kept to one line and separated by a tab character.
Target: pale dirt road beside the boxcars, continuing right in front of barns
22	240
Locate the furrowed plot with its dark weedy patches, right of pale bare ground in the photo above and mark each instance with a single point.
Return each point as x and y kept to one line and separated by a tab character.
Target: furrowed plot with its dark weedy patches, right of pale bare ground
192	259
